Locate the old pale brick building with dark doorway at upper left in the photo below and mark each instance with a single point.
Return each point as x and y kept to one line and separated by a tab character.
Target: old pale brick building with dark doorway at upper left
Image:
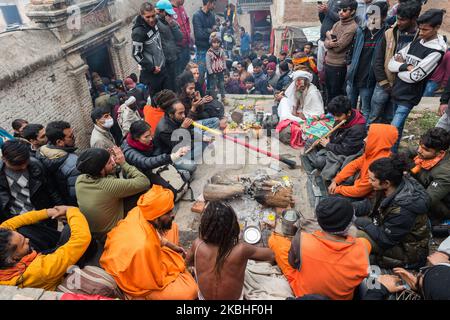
43	72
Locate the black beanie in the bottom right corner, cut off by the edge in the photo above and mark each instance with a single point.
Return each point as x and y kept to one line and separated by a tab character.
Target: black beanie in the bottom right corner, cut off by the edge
436	283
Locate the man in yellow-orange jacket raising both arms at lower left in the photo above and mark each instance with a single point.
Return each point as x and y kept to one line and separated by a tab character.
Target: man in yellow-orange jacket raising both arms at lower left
21	265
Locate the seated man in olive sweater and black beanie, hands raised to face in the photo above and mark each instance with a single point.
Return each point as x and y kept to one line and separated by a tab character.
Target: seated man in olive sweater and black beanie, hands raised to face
101	193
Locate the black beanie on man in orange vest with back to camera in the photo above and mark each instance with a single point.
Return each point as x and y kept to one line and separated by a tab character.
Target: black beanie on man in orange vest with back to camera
334	214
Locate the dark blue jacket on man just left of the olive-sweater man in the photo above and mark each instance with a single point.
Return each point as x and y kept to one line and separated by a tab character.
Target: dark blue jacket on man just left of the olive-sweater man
61	163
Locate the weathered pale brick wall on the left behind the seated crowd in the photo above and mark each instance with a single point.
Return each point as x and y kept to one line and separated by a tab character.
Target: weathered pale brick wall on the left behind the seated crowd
39	100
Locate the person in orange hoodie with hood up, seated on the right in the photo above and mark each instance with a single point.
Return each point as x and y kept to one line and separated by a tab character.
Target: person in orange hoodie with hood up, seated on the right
379	141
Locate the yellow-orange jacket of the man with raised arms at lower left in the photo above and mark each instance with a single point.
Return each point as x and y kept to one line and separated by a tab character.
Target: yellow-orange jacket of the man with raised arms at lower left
47	271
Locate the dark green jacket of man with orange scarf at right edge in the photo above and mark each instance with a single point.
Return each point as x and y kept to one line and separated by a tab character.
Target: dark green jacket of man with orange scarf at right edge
437	183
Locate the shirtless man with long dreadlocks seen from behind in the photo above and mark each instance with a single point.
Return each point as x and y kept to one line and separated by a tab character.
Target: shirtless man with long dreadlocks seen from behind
219	259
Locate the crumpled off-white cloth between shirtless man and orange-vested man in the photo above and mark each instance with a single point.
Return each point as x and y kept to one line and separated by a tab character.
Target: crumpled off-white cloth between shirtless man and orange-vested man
265	282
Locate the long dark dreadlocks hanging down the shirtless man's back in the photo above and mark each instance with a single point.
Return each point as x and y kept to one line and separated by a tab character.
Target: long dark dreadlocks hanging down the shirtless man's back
219	226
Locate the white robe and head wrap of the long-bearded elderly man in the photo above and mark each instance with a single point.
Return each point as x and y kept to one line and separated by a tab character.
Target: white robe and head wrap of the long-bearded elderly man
313	103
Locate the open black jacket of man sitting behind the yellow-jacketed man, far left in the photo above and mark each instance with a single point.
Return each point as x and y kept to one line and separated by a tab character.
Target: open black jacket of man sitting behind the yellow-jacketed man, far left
43	193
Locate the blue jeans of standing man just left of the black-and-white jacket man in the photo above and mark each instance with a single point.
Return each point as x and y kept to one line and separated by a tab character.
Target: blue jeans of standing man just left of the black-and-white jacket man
381	107
